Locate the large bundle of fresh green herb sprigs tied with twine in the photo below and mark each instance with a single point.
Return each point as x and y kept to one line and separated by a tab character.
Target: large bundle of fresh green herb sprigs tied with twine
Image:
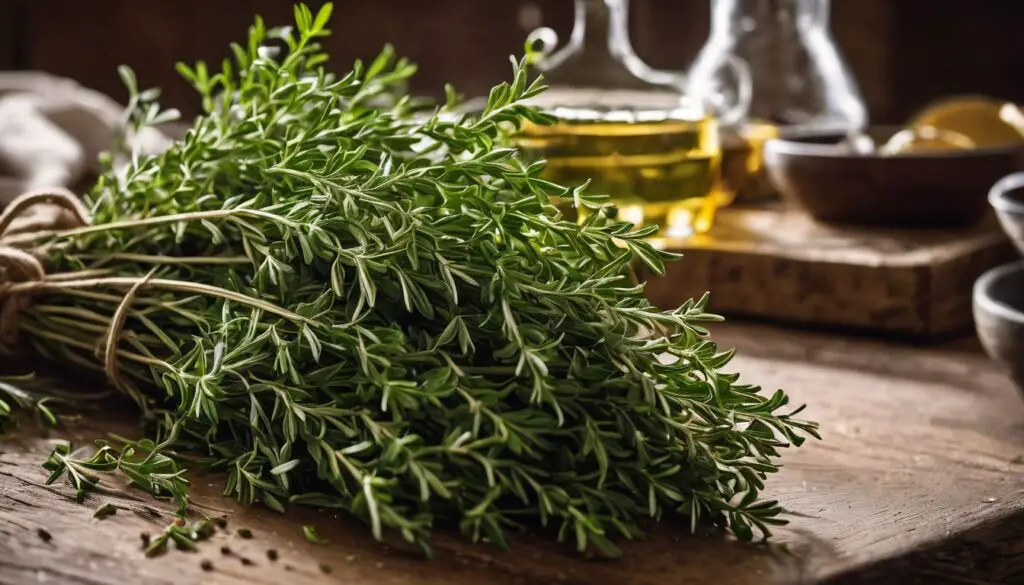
344	303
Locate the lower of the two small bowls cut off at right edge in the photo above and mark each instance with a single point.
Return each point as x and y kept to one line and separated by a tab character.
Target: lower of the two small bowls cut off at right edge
999	316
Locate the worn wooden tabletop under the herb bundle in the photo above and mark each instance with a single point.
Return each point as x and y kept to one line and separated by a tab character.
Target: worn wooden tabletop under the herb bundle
919	479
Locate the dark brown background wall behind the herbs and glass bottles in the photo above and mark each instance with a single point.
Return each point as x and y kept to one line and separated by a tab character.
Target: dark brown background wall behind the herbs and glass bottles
904	53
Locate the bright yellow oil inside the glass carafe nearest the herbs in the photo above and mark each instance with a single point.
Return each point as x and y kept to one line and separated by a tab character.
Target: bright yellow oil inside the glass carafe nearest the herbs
659	166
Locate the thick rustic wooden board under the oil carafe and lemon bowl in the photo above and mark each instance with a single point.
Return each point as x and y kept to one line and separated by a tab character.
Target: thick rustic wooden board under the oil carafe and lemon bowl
780	265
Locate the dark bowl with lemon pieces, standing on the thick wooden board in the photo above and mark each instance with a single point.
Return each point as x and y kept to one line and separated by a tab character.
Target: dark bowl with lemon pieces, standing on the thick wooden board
836	185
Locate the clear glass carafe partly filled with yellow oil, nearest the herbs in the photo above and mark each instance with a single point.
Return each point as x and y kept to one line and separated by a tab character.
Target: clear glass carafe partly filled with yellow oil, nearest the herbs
624	127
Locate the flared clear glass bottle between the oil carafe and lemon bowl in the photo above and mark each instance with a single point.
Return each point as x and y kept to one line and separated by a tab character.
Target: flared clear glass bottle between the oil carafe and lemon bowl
796	81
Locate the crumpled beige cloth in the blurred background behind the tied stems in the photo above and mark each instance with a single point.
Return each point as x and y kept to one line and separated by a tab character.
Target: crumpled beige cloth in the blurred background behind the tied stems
52	134
